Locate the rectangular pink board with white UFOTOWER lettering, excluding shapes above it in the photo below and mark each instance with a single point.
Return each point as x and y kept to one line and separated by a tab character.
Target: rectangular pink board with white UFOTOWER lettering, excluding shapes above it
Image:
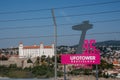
80	59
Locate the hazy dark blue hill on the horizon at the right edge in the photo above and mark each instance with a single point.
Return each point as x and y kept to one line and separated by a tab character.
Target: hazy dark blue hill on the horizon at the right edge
109	43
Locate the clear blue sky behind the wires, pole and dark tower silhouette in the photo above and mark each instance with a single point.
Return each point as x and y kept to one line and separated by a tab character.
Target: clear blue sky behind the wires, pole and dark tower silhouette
43	30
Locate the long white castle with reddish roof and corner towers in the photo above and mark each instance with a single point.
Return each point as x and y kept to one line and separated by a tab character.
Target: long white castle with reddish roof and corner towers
35	51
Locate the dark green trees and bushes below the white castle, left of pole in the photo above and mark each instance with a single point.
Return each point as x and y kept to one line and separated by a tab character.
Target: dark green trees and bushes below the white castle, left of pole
13	71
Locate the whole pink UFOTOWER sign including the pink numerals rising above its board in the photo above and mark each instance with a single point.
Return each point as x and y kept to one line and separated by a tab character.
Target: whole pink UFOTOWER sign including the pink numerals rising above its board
90	55
